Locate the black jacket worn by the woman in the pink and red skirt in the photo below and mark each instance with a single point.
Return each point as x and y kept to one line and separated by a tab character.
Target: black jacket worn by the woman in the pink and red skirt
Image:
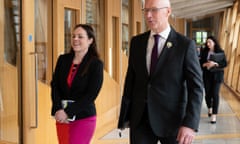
85	86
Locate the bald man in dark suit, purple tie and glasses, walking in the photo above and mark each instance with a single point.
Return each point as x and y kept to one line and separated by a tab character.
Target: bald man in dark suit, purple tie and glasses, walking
164	103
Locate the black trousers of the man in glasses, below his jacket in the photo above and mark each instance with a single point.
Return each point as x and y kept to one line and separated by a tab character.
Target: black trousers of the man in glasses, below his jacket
143	134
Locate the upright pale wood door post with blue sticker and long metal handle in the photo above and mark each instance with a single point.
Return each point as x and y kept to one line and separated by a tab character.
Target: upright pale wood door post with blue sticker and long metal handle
28	72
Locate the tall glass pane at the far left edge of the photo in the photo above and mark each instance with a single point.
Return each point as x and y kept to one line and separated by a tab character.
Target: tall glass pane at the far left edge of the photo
10	65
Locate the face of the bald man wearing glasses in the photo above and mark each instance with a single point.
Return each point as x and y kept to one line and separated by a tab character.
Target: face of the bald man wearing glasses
156	13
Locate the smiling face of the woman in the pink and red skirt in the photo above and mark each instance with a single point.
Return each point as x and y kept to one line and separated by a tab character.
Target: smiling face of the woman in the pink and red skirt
80	41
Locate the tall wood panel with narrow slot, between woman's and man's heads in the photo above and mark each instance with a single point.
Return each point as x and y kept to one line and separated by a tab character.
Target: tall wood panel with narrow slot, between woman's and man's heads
112	35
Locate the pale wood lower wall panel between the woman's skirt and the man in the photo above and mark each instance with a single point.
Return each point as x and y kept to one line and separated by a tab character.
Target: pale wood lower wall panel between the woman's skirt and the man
107	105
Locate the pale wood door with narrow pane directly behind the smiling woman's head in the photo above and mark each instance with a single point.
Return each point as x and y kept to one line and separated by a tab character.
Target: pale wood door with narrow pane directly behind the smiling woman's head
66	15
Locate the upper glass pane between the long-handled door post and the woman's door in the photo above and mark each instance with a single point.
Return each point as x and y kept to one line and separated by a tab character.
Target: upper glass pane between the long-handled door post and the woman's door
43	36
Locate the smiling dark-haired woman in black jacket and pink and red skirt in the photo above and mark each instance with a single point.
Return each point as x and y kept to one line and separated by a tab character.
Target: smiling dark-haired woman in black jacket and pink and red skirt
75	85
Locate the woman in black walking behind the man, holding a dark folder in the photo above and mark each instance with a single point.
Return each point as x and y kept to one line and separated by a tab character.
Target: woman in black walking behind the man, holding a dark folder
212	78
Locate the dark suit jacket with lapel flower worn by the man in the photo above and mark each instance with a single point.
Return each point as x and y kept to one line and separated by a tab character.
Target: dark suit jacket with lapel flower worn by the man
173	93
